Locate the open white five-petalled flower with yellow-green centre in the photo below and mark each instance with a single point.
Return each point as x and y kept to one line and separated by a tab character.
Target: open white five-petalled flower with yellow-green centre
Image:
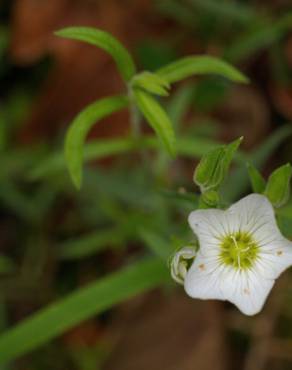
241	254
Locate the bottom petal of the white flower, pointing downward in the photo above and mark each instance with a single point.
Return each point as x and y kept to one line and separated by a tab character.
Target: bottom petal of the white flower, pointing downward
247	290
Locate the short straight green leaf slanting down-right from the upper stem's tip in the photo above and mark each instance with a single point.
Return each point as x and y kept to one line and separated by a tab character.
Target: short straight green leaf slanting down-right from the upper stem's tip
157	118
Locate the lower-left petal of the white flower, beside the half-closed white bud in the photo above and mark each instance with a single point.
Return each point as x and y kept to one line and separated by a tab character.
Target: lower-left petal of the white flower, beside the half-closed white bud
202	279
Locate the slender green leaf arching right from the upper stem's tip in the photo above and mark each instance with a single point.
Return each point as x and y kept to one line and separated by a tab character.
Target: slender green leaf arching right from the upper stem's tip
197	65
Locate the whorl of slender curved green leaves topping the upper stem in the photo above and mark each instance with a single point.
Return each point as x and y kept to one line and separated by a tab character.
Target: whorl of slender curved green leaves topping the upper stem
141	87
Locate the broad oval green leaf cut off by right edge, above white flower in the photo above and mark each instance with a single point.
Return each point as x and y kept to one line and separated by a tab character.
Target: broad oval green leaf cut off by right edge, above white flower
278	186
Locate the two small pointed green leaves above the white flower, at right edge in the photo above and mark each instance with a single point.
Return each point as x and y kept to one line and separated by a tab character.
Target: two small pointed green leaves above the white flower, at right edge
277	189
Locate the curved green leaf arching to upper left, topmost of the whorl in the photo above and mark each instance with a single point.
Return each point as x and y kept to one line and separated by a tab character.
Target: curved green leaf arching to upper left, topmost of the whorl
105	41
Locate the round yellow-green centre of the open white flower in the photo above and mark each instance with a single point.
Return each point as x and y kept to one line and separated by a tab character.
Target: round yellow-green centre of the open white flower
239	250
